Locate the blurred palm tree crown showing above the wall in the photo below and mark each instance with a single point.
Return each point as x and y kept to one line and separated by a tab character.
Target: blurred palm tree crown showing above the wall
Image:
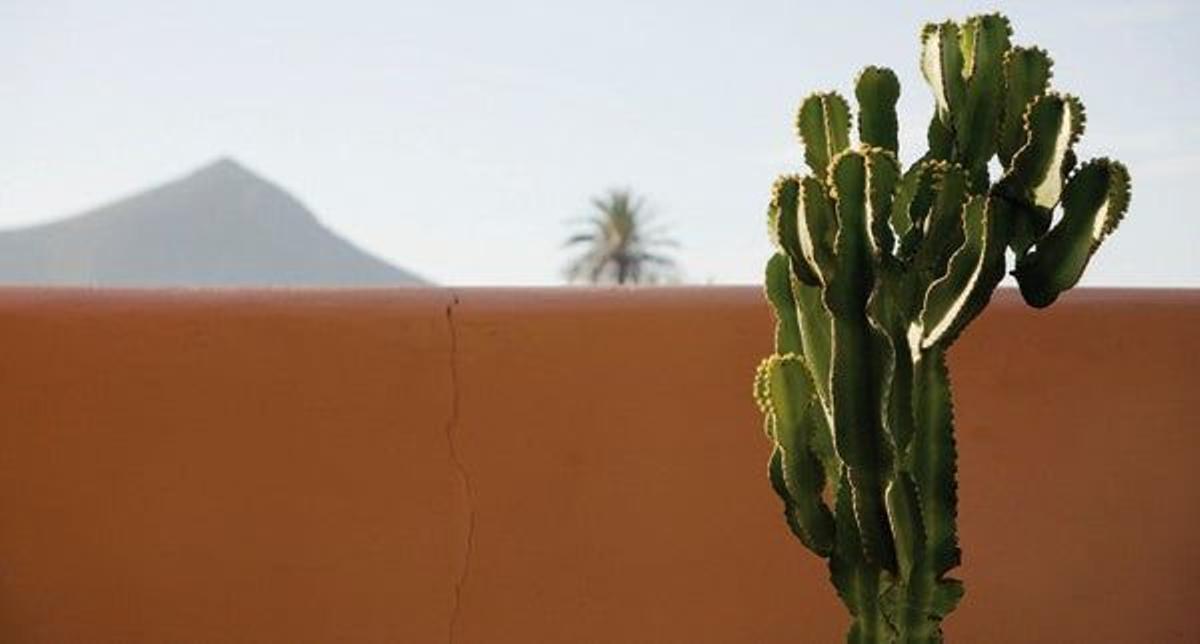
621	244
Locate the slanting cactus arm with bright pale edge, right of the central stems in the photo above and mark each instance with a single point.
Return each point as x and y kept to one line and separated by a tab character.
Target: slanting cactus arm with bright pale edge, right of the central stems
974	274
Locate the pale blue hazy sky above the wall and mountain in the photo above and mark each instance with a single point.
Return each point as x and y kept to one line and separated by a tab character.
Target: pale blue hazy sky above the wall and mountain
460	140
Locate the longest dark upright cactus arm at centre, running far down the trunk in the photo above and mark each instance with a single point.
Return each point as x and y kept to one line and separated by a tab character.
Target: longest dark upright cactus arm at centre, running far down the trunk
859	434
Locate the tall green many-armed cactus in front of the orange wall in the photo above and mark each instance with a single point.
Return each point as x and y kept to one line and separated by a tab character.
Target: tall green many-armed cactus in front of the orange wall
879	270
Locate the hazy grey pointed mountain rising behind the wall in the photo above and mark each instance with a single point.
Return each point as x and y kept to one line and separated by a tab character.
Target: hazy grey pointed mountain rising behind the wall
221	226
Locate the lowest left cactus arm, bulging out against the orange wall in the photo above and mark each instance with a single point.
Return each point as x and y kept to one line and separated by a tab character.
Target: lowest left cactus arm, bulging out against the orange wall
791	396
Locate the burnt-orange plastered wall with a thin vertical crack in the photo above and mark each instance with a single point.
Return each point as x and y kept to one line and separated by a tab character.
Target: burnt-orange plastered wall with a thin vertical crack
551	466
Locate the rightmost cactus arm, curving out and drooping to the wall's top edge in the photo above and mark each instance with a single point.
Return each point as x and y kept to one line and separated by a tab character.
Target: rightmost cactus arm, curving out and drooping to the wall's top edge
1094	204
